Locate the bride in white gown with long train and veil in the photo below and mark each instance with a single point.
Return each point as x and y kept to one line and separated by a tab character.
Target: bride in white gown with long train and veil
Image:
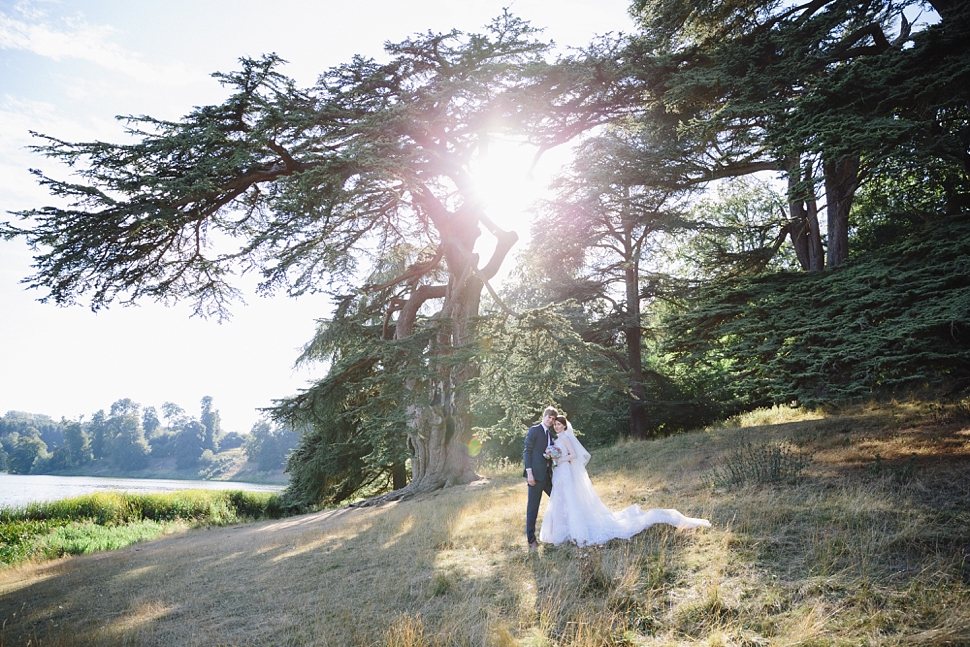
575	512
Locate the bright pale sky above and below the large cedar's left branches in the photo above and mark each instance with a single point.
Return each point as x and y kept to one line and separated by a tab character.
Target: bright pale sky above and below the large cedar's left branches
67	67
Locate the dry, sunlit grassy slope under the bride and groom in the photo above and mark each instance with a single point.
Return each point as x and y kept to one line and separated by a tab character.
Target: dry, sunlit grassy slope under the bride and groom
867	546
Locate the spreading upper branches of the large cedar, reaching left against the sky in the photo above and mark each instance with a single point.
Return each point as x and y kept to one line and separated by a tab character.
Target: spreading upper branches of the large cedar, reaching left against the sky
296	184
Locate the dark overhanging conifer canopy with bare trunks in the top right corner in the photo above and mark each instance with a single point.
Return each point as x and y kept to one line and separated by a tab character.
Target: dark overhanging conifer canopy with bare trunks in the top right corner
824	92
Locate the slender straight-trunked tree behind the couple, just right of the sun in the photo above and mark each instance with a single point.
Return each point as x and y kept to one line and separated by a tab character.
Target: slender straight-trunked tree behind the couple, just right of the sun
594	241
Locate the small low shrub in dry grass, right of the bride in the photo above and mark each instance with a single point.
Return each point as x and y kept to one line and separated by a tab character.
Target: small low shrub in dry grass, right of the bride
758	464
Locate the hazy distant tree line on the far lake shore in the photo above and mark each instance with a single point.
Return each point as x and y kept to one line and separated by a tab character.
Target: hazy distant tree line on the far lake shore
130	437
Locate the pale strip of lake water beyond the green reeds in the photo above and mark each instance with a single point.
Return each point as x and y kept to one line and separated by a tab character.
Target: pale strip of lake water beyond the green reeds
20	489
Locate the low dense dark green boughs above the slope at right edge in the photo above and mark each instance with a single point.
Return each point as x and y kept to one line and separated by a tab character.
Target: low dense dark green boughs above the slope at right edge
896	319
